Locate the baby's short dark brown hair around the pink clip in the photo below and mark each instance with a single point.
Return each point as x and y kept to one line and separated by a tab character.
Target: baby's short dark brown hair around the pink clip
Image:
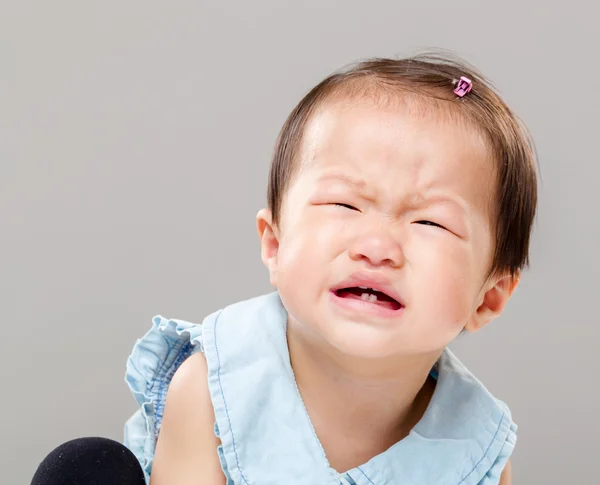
429	80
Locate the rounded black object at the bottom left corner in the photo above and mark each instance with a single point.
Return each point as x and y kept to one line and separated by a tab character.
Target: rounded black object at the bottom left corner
90	461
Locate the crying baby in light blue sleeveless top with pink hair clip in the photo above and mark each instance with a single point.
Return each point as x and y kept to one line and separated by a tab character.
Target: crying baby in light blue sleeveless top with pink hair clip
400	204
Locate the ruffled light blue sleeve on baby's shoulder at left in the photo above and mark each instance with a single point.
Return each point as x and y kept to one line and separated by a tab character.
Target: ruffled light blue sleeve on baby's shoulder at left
150	368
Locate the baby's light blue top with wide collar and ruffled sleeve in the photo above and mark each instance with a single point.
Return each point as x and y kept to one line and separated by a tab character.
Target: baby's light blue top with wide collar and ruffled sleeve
465	437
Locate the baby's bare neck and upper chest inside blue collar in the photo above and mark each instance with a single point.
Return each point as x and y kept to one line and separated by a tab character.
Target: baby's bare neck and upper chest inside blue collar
372	401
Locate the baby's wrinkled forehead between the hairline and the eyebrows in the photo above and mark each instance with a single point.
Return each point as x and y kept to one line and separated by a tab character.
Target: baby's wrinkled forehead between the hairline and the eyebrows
405	149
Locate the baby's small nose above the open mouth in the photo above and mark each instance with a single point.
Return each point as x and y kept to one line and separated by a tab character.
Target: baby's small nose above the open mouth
377	249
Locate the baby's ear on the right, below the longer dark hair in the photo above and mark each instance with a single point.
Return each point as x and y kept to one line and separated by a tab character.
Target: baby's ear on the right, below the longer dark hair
494	300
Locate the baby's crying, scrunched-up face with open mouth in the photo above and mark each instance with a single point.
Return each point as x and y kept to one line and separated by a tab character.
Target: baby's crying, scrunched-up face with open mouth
395	200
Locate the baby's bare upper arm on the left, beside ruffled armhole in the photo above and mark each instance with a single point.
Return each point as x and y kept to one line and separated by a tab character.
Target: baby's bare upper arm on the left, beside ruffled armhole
186	451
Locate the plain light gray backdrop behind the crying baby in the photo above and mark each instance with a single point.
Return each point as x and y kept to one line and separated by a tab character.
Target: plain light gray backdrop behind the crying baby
135	138
